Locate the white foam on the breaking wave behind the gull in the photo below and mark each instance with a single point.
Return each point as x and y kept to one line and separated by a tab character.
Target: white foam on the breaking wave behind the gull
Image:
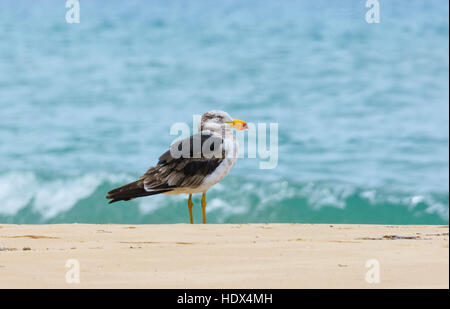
49	198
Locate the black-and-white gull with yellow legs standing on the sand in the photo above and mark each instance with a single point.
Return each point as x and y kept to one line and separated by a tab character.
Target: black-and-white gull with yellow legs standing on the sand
192	165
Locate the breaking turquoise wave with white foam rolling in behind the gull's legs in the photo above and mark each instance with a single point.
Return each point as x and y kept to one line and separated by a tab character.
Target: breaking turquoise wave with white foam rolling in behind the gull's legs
28	198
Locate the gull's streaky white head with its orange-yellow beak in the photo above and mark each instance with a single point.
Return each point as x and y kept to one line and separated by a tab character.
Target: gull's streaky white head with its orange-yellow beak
218	120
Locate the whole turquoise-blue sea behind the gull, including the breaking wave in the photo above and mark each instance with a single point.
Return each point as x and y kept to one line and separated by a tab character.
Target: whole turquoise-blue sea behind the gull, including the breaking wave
362	109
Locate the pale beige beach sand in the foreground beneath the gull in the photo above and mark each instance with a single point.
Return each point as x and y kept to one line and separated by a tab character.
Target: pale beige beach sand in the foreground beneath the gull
224	256
